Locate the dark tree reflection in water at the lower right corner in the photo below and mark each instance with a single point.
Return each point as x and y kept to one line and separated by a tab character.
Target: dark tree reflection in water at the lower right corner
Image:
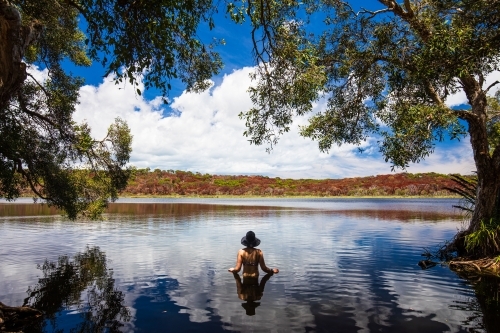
484	309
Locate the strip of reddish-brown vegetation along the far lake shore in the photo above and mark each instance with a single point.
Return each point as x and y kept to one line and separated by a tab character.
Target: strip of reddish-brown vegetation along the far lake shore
158	182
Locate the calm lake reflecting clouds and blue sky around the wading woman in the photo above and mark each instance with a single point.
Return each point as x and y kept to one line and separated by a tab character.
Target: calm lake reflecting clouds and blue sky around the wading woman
160	265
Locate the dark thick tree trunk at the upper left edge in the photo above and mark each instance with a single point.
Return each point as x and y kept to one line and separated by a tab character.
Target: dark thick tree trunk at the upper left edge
14	39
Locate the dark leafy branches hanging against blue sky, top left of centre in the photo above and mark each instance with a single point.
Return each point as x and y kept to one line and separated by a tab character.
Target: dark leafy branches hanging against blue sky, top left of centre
153	39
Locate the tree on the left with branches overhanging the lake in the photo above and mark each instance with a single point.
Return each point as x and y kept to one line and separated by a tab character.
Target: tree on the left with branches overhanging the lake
40	145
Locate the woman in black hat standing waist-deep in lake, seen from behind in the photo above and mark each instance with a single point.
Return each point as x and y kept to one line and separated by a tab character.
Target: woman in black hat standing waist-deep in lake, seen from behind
251	258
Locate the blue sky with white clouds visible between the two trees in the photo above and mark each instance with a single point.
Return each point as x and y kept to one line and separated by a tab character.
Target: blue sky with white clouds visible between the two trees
202	132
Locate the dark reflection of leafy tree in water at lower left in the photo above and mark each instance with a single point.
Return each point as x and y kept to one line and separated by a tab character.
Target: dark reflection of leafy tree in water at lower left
62	285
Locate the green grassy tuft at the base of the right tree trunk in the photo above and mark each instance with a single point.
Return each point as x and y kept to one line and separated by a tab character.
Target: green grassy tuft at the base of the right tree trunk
485	240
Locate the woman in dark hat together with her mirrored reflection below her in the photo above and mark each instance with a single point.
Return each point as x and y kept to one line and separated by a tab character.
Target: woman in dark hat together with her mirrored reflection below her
251	258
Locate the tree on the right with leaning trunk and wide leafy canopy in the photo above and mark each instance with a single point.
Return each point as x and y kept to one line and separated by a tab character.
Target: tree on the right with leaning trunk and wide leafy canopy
385	71
